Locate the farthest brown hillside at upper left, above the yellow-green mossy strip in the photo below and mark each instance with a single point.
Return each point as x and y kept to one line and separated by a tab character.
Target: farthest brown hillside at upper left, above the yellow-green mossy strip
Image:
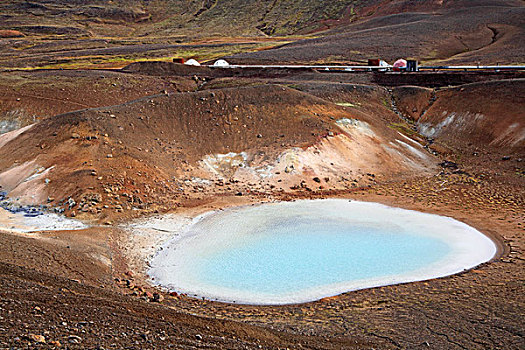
163	17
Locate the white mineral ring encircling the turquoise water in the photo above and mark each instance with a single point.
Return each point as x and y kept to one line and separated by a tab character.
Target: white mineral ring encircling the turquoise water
171	266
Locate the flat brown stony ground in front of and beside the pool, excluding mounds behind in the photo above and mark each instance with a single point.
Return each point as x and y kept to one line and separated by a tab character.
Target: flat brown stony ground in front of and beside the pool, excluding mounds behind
63	294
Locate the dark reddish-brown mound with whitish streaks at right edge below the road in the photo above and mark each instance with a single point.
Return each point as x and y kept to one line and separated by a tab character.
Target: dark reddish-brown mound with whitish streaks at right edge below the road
488	115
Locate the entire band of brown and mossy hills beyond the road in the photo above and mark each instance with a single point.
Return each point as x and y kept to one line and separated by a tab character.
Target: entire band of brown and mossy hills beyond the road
110	34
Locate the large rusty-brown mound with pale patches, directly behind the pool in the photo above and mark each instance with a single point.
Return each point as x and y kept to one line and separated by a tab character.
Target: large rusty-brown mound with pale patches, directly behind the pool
163	149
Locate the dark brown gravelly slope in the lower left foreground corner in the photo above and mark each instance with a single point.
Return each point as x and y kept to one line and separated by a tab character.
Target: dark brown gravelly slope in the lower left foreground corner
60	308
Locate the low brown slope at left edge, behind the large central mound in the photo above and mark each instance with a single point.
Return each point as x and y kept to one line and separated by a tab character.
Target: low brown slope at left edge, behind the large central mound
26	97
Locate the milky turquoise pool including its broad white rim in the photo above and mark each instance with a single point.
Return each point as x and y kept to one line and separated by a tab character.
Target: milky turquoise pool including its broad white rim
291	252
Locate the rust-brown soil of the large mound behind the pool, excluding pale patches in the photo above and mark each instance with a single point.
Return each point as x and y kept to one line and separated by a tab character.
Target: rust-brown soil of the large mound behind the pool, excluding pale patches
93	150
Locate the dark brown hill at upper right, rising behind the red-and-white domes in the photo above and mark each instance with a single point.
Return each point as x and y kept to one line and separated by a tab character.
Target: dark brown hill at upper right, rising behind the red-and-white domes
489	32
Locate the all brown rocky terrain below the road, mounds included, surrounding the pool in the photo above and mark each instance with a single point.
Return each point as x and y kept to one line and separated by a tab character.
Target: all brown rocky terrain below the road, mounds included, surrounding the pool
146	141
